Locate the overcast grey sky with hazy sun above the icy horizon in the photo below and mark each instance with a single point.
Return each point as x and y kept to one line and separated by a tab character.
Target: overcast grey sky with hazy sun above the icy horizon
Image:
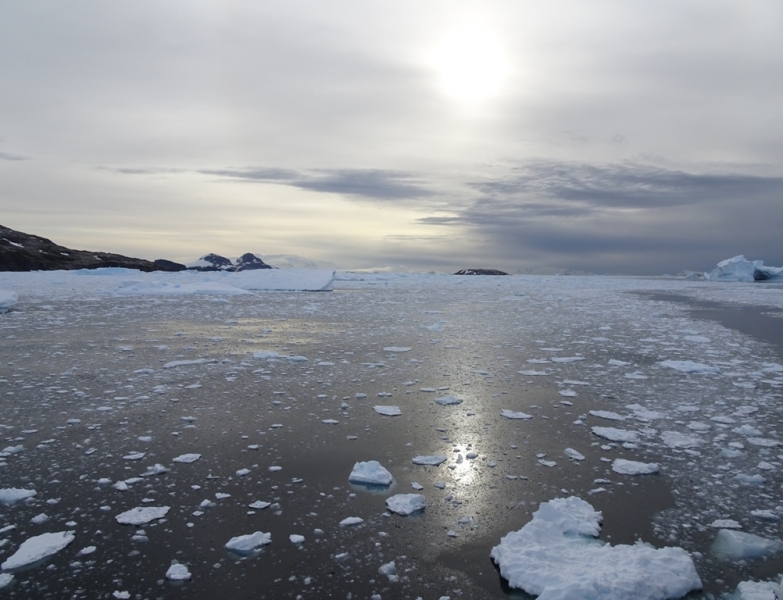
531	136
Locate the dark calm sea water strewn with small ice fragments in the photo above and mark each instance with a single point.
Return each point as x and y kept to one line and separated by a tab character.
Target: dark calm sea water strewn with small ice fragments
274	394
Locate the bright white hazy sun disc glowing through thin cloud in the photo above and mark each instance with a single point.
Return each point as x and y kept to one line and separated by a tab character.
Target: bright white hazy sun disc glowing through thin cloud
471	65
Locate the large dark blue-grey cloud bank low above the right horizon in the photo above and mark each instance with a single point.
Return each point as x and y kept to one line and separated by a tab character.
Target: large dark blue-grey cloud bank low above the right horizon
623	218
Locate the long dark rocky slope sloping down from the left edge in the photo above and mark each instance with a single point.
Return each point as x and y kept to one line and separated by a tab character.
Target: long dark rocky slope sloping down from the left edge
25	252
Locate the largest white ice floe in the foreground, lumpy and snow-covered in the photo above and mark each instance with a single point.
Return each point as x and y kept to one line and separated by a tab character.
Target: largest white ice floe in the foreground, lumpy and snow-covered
556	556
